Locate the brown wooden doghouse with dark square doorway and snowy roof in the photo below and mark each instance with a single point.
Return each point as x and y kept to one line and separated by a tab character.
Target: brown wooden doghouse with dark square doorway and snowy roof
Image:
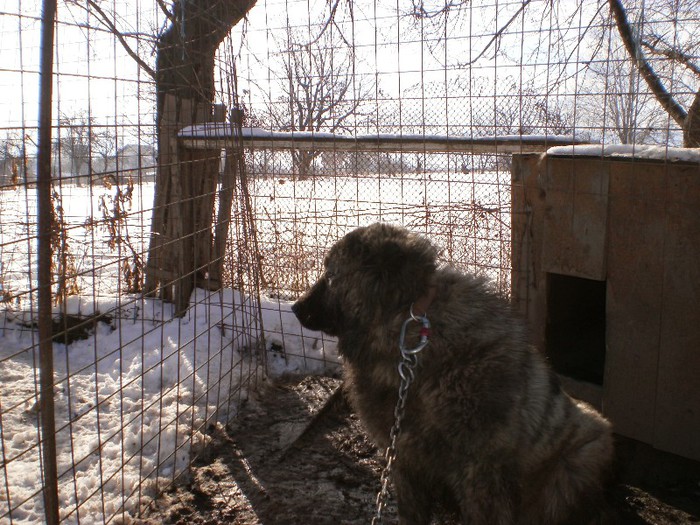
606	269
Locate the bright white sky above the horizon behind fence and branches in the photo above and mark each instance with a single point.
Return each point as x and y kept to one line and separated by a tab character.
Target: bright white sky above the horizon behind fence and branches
417	66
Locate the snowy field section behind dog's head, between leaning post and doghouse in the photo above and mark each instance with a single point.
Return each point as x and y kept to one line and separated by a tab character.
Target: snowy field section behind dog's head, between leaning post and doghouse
466	214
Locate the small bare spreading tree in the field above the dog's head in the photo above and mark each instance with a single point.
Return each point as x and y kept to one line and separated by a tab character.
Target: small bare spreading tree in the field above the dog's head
318	90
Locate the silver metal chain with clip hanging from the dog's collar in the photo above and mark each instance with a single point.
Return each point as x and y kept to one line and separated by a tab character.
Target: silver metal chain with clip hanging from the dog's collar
407	366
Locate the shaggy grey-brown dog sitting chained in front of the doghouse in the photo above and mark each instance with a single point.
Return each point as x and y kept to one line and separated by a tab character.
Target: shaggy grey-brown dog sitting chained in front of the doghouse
487	432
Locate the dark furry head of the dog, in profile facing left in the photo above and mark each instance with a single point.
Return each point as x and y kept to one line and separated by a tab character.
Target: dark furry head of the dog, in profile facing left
370	275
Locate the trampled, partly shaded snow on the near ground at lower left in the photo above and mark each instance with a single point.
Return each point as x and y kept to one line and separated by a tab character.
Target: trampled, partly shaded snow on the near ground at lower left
156	381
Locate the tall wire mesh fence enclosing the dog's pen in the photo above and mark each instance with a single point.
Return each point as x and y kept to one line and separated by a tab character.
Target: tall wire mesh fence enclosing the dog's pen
141	378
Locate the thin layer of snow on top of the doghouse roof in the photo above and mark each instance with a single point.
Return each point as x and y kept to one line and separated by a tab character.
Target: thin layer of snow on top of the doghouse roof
628	151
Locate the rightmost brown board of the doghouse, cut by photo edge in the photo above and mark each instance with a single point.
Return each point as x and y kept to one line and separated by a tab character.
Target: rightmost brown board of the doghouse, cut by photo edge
677	426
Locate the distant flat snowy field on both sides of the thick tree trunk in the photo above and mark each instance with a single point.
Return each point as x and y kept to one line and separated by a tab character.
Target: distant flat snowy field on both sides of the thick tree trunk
467	214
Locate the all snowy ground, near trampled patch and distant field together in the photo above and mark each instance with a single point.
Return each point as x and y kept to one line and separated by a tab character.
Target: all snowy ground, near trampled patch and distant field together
134	401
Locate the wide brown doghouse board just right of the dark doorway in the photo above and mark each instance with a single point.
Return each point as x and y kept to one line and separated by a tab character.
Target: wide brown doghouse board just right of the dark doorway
634	288
